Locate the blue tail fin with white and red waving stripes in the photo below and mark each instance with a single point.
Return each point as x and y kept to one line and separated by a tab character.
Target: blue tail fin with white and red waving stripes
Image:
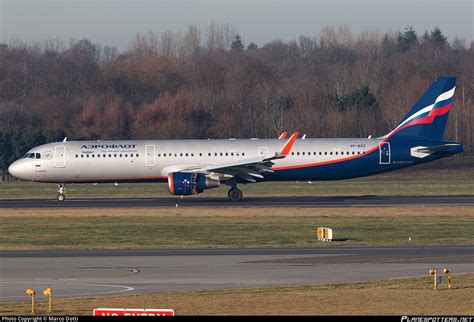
427	118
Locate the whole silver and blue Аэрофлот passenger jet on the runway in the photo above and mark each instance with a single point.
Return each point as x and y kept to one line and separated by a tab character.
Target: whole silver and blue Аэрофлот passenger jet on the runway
192	166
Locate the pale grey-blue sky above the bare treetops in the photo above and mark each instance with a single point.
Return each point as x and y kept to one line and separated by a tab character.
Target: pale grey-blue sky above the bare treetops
116	22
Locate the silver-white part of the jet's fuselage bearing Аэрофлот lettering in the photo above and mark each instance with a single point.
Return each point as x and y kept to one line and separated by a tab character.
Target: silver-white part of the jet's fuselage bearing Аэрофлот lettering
140	160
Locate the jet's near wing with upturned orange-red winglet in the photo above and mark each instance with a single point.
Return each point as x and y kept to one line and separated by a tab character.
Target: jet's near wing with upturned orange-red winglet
251	168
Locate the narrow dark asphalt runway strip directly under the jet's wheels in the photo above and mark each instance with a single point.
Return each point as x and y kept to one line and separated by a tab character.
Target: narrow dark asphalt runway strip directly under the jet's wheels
310	201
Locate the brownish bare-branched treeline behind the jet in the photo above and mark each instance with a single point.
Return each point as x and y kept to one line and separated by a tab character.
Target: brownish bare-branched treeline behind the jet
214	85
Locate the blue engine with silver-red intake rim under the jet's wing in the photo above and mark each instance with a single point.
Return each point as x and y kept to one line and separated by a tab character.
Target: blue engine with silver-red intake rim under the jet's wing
189	183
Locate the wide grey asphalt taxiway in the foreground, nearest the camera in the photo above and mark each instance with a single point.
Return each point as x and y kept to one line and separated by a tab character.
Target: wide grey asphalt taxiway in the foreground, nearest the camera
95	273
